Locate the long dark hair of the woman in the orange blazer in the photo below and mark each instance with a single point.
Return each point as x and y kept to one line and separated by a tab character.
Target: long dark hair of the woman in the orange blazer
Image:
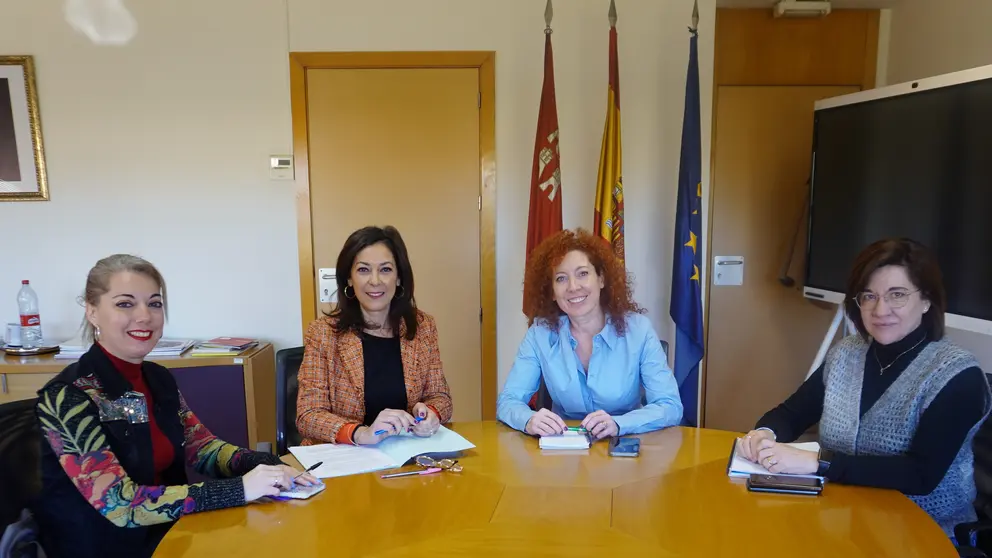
402	307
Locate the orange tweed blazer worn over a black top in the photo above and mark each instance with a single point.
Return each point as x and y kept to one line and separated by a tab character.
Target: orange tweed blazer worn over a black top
332	378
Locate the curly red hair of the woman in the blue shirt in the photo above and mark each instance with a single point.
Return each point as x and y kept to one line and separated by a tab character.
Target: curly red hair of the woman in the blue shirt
539	299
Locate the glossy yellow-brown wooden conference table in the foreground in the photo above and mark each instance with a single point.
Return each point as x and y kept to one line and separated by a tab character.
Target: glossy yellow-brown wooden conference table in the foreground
512	499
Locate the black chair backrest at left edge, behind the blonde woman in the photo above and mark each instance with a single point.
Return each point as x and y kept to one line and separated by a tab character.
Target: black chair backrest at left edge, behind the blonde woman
20	459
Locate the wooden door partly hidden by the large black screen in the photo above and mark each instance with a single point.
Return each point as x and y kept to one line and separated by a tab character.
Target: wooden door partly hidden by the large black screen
763	336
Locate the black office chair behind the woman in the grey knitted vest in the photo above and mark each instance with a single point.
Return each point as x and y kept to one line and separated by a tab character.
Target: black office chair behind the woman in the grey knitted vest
982	528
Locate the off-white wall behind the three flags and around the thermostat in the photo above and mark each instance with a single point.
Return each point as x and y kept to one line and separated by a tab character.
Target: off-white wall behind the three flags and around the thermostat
159	148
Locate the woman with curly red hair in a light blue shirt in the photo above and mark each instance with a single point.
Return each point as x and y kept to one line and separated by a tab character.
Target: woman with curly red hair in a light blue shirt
591	343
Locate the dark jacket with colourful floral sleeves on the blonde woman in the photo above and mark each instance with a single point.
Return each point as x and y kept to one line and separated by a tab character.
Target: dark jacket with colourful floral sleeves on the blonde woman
98	494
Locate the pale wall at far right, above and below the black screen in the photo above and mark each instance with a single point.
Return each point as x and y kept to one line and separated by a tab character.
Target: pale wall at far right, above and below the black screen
930	38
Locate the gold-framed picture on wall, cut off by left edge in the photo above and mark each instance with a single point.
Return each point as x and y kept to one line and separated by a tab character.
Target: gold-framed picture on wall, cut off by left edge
22	152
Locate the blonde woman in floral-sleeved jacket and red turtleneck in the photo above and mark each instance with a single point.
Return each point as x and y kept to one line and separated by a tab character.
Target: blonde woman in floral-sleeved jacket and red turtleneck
118	434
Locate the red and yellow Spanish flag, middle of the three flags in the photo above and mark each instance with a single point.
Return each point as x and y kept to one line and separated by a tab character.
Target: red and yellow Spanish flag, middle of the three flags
609	183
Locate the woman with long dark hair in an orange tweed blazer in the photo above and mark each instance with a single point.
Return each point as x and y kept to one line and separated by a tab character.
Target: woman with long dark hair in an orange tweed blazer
371	368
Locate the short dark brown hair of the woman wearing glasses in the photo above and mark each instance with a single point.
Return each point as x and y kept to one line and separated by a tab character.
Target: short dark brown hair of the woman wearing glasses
922	268
